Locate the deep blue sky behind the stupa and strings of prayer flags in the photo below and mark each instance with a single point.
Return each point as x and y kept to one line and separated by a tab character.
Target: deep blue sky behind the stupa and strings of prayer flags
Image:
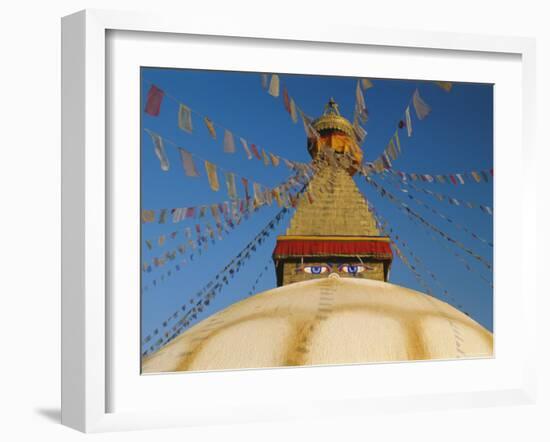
457	136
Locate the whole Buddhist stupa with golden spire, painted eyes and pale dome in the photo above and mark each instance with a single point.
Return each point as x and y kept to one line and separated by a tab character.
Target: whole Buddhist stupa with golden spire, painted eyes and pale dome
333	303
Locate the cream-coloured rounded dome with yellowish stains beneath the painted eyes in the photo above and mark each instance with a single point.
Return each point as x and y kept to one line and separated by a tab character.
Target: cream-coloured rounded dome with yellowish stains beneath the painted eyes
325	321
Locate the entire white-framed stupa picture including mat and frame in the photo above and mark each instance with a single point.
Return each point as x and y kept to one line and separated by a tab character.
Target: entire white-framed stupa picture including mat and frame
276	223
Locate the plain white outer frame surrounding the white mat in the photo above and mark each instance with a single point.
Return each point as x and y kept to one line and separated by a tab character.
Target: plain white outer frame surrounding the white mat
85	213
